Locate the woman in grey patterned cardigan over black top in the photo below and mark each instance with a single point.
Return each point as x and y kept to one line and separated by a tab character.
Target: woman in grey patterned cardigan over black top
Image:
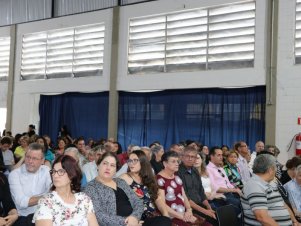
114	201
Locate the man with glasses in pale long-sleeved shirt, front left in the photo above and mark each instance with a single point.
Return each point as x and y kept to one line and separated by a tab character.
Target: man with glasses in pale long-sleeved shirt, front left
29	183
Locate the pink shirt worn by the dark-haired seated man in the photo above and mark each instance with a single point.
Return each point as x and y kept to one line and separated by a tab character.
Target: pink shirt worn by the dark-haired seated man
218	177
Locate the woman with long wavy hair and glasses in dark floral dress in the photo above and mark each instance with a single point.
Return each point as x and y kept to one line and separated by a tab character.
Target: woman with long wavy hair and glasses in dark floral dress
141	179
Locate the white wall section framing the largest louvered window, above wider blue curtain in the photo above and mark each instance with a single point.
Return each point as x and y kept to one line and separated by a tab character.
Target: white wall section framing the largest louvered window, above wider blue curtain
215	78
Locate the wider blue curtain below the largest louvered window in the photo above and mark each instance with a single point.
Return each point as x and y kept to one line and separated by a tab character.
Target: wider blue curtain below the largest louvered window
210	116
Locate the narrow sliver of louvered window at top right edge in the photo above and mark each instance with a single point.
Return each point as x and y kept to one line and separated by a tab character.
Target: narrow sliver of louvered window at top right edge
298	33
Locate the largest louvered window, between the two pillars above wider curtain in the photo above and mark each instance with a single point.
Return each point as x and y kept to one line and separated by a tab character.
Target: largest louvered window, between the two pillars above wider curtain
201	39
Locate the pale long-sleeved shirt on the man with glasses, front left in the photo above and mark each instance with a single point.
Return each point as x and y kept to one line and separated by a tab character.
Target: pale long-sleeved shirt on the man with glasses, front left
23	185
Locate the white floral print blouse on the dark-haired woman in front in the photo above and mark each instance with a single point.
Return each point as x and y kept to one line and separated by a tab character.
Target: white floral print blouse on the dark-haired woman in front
54	208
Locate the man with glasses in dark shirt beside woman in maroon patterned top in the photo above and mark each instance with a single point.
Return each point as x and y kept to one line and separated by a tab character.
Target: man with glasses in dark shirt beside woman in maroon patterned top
193	186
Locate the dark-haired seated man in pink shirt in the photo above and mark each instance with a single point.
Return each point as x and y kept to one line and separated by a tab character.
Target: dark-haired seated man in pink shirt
220	181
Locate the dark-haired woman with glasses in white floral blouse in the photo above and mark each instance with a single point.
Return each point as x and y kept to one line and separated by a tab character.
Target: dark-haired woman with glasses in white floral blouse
65	204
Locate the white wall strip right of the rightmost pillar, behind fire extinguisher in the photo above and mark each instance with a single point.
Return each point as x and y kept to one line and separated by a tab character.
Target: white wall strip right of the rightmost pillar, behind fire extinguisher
288	105
